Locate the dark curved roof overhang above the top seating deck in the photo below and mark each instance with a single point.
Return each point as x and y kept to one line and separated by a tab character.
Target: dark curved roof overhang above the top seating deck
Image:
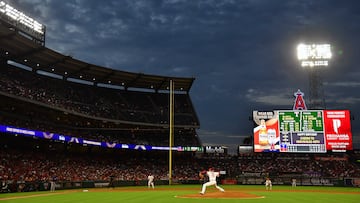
18	48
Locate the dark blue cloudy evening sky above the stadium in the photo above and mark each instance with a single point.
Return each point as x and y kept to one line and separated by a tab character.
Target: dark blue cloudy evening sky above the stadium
241	53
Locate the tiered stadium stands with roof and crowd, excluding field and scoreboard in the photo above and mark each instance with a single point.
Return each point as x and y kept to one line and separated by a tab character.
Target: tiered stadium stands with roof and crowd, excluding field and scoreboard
81	125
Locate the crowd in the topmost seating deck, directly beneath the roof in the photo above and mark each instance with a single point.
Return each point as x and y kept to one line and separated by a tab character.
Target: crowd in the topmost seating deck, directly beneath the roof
100	102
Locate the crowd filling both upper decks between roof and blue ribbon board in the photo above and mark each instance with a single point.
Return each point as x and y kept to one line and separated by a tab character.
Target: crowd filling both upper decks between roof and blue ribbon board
36	106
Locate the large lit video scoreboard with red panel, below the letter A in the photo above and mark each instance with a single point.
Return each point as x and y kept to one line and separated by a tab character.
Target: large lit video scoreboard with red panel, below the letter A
308	131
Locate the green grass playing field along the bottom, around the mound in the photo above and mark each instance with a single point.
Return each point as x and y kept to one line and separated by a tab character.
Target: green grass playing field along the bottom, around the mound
176	193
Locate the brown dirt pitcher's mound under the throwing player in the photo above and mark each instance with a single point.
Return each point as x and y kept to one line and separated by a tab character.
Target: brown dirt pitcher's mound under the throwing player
222	195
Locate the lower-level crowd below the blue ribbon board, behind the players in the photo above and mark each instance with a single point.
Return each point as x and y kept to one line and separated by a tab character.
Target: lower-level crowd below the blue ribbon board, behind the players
32	160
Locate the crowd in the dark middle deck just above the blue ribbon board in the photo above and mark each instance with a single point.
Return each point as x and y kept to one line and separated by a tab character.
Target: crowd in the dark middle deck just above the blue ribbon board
18	114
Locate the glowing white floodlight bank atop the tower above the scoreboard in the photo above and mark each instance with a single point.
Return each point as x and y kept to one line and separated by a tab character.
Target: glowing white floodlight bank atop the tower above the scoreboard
314	54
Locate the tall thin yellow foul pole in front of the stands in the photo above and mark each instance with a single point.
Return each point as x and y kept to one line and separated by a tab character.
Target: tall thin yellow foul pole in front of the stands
171	128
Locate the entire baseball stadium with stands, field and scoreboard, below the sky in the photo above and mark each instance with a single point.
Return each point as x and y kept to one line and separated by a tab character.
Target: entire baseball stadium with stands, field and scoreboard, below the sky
72	131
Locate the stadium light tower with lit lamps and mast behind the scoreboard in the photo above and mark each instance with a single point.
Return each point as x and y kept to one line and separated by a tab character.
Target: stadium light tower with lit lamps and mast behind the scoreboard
313	57
